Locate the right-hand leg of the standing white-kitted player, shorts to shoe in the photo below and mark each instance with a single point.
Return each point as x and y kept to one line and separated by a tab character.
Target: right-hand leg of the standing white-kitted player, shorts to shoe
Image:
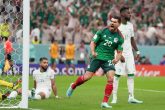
130	65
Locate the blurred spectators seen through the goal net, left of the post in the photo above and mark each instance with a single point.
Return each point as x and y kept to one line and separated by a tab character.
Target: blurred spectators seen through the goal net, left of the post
11	18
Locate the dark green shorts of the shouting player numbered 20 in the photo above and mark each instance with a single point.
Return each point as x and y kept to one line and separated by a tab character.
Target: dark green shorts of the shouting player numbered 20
95	64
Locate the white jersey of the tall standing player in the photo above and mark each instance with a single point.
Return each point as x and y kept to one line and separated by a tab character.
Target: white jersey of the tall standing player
127	32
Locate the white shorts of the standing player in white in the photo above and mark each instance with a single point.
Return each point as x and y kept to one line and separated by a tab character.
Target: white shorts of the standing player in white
128	67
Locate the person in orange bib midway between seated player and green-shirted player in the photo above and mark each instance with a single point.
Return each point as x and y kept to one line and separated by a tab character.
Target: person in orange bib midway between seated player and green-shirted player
69	54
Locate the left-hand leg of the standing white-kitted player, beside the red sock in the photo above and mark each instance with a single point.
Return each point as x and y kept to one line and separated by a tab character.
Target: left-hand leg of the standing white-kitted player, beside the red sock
120	70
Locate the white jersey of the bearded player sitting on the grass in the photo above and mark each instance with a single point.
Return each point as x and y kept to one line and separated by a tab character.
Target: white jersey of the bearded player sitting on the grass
43	79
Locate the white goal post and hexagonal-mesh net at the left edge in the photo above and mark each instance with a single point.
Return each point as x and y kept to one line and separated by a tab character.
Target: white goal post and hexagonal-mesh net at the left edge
14	52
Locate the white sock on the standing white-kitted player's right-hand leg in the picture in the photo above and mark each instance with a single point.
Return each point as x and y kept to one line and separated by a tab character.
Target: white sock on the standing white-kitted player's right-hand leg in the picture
130	84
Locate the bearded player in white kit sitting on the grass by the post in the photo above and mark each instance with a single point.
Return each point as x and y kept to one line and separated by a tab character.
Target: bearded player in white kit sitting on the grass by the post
44	82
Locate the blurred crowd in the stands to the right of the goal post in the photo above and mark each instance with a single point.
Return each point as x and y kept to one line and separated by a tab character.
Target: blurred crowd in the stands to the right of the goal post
80	19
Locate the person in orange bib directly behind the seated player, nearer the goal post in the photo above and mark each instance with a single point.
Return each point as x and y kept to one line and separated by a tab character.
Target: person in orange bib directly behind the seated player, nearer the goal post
54	53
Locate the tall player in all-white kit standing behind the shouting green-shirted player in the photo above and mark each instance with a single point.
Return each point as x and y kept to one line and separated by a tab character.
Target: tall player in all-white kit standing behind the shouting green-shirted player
128	64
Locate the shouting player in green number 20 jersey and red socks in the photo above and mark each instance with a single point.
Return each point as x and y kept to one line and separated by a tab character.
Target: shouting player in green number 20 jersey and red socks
103	46
